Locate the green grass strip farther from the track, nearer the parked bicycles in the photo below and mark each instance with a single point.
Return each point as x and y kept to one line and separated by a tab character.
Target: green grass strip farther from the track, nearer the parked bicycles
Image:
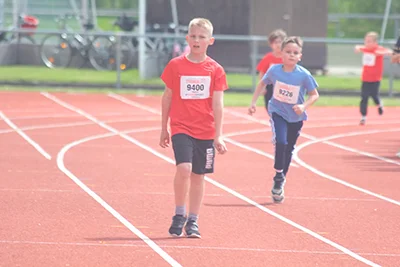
73	76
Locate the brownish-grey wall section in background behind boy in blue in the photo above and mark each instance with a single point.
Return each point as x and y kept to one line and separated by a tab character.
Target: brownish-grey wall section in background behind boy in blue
306	18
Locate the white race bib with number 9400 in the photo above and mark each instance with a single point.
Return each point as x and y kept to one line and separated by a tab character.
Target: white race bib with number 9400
195	87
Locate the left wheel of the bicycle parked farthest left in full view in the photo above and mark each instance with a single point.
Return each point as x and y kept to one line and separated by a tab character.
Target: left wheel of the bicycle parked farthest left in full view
56	51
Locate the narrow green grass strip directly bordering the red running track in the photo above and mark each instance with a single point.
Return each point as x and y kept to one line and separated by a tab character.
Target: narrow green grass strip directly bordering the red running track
231	99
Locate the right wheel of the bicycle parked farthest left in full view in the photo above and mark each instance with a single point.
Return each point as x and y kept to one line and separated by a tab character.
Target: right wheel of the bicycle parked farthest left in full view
101	53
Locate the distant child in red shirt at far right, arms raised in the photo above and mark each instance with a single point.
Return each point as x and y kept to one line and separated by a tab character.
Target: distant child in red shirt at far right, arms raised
372	71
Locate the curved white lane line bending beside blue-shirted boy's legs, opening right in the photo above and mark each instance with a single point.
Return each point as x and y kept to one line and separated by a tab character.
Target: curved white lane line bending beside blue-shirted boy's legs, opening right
334	179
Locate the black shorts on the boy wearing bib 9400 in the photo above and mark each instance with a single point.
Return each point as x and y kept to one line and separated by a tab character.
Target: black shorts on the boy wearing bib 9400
201	153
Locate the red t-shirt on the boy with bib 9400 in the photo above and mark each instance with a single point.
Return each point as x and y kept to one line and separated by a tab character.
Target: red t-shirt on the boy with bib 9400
193	85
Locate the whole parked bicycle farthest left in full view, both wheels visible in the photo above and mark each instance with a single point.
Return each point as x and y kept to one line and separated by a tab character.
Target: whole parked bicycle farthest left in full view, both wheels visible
57	50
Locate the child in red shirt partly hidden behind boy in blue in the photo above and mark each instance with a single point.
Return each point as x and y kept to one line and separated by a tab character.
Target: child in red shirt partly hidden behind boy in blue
275	40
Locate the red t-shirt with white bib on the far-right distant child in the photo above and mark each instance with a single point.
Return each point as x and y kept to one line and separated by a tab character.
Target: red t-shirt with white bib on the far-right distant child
372	65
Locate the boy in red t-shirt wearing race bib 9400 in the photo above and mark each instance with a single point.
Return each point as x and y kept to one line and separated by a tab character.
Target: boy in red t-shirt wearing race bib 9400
193	101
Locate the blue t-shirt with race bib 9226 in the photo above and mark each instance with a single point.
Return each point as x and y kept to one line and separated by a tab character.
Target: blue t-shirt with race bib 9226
290	89
